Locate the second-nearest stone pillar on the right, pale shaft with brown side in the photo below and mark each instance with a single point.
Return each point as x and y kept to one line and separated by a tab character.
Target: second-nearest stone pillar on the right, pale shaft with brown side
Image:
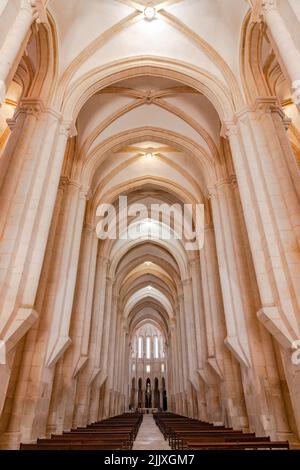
240	304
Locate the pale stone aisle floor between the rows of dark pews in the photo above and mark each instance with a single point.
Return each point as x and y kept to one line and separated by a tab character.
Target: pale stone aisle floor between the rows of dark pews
149	436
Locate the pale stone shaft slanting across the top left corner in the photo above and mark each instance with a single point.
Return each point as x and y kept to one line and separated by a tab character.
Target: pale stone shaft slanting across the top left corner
30	11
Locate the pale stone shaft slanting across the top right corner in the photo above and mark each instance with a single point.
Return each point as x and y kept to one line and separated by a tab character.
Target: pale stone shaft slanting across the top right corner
289	55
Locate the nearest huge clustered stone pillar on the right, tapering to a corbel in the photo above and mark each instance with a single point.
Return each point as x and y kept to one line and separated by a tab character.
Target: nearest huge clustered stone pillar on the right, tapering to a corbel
270	200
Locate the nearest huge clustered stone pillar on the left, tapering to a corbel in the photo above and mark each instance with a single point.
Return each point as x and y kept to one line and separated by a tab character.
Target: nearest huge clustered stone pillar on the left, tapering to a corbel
27	201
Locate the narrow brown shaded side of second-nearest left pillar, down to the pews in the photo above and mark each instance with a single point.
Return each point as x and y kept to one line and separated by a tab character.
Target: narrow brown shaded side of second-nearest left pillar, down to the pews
34	381
